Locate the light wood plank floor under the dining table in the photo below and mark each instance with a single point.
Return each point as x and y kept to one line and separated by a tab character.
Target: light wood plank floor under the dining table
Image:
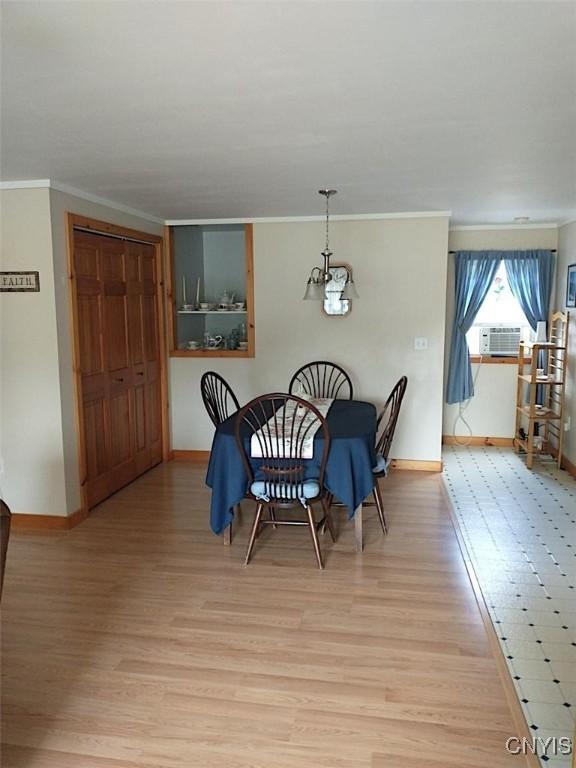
136	640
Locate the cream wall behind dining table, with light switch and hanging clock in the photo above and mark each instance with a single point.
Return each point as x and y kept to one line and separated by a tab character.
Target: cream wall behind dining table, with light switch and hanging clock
400	271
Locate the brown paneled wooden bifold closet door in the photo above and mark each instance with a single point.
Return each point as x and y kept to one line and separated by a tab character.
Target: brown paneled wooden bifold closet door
119	361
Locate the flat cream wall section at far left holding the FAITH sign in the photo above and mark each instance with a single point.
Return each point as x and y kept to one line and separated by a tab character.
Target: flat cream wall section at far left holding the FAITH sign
31	441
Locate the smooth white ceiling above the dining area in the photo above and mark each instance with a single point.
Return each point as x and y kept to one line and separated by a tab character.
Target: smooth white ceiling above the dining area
232	109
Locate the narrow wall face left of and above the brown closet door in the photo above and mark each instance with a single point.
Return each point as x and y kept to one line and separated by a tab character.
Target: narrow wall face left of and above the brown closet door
60	204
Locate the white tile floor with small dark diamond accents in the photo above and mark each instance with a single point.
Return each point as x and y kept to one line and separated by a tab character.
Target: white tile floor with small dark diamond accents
520	530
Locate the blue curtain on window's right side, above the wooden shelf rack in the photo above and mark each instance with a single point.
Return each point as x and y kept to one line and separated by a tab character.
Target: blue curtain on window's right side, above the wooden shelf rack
530	275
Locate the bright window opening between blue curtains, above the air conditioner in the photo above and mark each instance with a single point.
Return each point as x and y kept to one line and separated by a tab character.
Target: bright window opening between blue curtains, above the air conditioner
500	308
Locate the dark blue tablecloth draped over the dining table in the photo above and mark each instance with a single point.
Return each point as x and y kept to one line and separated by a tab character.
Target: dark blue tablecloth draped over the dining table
349	477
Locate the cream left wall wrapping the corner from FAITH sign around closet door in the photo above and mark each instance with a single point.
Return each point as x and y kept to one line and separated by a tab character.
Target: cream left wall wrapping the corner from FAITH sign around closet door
38	441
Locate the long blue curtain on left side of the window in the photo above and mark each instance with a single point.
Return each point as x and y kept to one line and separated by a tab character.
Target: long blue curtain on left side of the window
475	271
